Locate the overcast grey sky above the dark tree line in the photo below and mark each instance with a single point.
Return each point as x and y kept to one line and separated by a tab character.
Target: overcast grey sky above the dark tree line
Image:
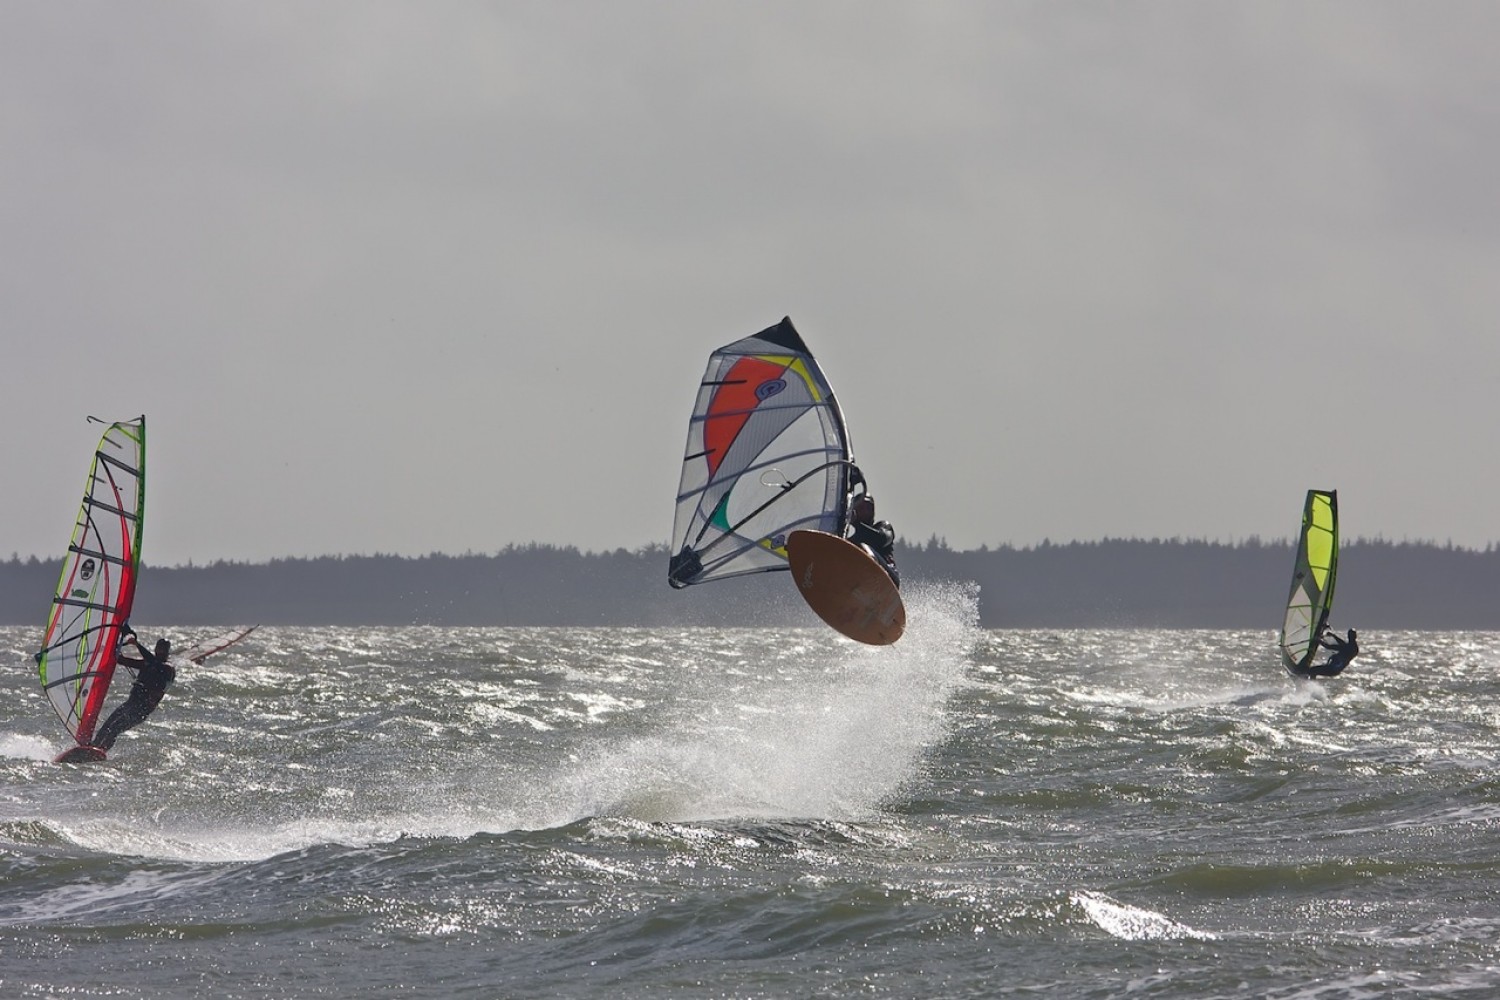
413	278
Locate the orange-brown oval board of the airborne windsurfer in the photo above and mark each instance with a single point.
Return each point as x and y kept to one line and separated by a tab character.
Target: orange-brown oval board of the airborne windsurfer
847	587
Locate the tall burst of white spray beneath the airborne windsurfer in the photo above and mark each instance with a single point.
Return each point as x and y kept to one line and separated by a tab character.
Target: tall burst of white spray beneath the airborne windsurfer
839	734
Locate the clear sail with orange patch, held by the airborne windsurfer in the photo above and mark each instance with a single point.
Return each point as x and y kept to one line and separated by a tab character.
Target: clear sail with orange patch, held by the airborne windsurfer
767	454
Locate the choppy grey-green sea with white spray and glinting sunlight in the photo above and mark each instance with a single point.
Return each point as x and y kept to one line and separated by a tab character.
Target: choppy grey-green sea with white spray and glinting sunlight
764	813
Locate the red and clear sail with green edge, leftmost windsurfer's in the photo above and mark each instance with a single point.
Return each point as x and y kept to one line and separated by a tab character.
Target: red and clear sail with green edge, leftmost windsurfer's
98	582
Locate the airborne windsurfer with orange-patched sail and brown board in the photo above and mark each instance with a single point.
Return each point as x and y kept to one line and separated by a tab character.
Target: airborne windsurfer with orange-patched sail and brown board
769	484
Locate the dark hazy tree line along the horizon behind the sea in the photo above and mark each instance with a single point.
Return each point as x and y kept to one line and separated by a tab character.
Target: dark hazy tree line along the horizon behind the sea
1117	582
